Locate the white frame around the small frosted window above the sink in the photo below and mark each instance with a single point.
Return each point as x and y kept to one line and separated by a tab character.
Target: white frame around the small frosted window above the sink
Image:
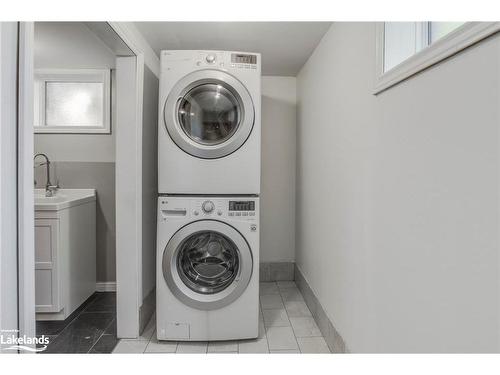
42	76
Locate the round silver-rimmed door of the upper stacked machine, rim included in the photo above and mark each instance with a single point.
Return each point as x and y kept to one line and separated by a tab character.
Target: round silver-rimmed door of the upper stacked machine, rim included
209	114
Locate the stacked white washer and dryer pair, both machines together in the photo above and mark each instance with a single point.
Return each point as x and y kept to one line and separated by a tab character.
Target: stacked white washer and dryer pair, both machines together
208	205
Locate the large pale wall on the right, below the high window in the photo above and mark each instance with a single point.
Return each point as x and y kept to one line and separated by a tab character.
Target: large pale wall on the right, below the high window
397	197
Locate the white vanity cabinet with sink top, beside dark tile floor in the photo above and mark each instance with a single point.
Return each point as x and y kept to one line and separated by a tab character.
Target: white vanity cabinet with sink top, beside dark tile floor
65	251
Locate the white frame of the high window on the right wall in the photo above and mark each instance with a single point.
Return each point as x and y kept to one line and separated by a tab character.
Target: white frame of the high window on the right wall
450	44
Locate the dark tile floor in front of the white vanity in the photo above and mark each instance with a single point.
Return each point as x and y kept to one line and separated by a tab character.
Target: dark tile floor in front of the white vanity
90	329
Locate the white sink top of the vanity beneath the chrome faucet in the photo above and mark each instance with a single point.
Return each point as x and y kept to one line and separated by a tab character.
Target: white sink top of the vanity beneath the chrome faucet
63	198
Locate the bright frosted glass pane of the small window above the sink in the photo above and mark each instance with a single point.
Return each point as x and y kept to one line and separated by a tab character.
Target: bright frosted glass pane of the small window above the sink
74	104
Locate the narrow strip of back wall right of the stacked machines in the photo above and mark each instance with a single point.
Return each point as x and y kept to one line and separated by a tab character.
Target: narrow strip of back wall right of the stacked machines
278	169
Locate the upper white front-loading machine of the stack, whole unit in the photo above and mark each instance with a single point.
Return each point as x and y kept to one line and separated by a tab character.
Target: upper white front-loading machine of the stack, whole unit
209	123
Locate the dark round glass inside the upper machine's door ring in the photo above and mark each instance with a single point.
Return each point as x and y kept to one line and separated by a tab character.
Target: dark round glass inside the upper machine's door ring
209	114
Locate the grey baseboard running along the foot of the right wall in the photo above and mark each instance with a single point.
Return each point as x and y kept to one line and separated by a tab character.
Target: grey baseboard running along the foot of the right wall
332	337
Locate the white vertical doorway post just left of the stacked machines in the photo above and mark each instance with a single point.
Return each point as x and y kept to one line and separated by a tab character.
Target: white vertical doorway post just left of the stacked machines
128	194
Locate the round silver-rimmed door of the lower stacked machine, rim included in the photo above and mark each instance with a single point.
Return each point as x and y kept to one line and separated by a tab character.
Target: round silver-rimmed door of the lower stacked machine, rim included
207	264
